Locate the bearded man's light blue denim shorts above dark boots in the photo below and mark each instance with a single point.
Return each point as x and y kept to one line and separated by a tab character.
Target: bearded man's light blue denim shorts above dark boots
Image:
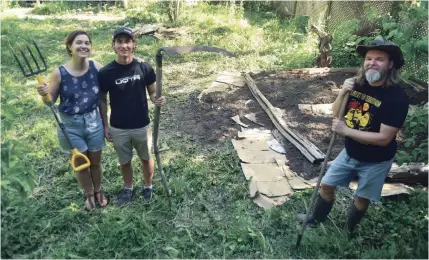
371	175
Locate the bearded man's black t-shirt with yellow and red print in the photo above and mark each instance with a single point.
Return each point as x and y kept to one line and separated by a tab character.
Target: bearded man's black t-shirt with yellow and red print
369	107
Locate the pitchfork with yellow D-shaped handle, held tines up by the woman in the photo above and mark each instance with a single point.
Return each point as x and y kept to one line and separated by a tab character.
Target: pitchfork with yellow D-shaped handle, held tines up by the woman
47	99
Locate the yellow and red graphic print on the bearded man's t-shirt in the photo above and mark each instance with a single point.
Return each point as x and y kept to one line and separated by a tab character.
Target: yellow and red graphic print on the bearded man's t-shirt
360	110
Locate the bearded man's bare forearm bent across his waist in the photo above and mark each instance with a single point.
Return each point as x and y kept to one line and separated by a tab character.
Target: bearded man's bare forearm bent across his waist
382	138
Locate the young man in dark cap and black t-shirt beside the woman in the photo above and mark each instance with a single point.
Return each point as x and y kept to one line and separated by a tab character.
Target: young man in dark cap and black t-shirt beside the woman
126	80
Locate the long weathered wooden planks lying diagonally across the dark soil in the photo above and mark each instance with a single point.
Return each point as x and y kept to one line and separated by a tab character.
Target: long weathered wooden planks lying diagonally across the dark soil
308	149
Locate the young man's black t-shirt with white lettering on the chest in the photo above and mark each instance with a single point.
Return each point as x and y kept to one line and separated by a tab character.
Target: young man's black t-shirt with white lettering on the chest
127	85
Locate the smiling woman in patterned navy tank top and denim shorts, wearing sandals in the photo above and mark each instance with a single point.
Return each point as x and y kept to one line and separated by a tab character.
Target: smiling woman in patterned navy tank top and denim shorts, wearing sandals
76	84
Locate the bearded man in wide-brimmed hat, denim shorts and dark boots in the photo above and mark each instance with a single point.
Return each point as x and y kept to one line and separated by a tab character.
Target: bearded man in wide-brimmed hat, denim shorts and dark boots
376	110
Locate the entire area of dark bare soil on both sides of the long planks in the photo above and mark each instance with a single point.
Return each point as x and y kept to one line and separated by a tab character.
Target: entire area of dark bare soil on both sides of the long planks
208	120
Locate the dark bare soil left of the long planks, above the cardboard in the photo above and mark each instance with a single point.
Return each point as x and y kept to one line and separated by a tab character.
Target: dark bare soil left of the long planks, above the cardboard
209	121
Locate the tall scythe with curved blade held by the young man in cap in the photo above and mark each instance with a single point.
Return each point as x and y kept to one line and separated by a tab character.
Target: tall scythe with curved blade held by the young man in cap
172	51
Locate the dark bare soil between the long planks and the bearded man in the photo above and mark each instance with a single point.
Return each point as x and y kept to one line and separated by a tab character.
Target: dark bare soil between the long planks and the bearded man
286	93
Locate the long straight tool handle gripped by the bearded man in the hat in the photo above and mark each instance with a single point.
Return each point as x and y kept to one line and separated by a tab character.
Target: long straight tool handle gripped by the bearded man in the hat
322	172
